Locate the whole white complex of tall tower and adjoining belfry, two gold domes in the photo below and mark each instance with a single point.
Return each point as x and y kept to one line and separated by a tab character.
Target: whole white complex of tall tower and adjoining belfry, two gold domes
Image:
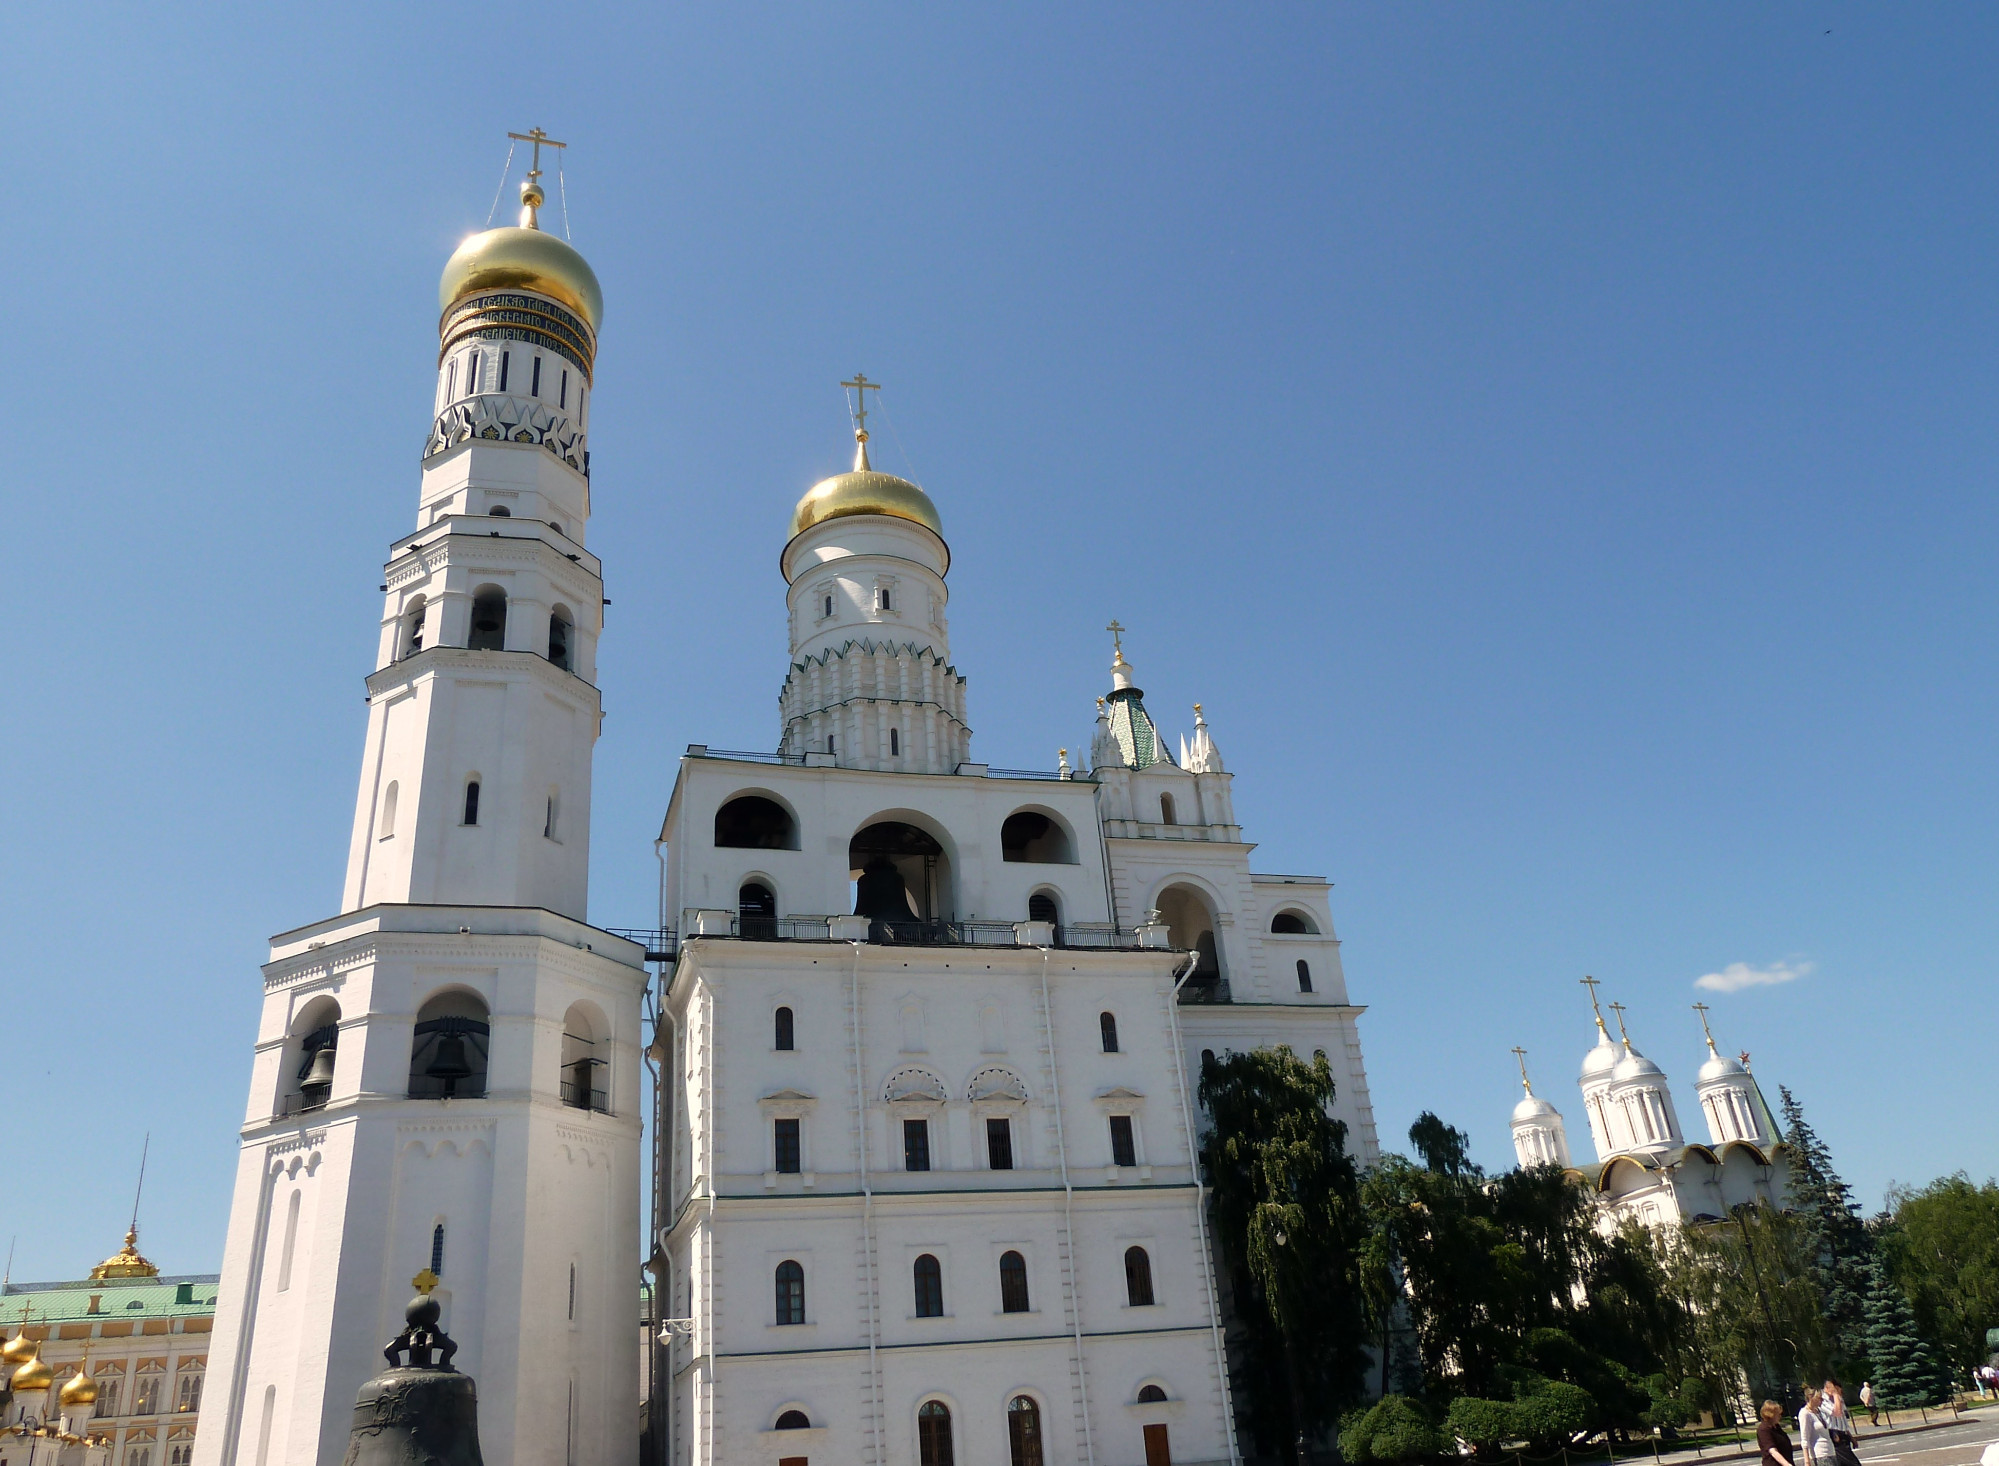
929	1033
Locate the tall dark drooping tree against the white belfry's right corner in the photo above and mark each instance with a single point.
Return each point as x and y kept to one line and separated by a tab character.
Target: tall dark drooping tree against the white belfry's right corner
1288	1217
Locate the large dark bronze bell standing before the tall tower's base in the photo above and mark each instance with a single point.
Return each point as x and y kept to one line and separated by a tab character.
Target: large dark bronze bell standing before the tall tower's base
419	1411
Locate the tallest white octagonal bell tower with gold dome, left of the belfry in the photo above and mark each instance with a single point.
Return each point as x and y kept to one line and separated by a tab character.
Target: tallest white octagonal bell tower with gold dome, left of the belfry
447	1075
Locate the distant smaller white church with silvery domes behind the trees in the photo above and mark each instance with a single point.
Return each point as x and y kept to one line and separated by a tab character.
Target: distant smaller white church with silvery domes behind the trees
1646	1169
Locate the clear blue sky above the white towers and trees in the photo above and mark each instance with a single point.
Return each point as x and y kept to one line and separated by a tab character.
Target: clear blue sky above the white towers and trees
1554	443
